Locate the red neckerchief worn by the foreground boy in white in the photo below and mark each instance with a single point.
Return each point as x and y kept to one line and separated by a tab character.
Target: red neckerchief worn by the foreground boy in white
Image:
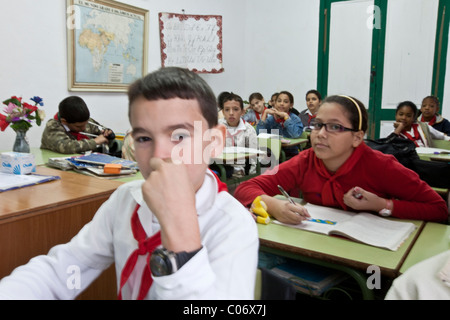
145	247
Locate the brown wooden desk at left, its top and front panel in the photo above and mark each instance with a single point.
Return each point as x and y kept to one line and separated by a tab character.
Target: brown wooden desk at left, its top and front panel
36	218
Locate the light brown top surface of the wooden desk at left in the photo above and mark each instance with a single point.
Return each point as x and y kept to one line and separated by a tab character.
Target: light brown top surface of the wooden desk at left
54	194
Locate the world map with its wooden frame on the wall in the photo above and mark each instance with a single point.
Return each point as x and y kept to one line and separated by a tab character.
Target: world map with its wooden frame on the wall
107	45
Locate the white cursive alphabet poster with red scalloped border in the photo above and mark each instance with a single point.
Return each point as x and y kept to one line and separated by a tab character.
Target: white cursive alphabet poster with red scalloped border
191	41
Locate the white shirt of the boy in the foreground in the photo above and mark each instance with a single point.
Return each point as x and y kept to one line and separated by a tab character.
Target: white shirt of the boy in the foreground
225	268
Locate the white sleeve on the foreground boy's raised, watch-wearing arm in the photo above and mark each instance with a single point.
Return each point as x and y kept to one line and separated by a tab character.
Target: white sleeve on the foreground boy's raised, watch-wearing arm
224	269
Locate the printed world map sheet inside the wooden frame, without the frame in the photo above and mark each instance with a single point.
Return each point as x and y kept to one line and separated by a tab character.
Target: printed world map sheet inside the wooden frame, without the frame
108	46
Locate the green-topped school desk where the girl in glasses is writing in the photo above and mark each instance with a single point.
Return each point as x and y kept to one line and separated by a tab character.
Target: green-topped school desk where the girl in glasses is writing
336	253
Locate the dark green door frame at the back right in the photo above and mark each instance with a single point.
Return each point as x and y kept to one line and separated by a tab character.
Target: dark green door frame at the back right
376	113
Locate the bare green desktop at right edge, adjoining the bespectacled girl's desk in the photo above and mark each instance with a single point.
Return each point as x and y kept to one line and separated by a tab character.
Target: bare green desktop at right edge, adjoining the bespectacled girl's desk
434	239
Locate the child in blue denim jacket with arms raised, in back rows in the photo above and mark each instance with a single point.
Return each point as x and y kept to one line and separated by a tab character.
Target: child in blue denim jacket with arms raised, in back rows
281	120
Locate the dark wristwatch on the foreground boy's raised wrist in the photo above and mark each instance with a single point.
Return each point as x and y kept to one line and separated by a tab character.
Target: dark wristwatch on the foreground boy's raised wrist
164	262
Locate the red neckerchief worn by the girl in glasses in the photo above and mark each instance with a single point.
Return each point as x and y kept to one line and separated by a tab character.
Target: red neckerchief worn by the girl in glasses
332	193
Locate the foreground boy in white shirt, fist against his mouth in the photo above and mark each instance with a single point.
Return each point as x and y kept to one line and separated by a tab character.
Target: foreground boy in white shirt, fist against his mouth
178	228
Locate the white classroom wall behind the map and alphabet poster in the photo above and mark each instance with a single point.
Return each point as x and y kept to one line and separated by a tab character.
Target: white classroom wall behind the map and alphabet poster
267	47
